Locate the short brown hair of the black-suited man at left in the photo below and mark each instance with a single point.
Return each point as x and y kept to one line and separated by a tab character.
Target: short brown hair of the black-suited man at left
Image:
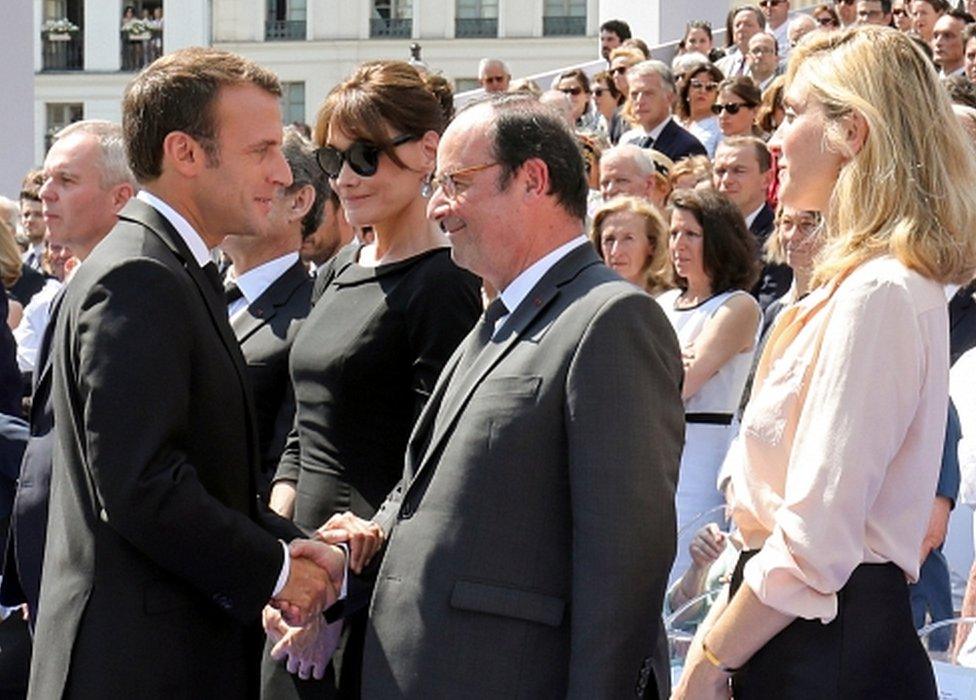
178	92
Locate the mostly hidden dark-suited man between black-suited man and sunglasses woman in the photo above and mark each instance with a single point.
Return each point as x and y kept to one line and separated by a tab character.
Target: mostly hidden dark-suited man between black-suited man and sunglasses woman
268	292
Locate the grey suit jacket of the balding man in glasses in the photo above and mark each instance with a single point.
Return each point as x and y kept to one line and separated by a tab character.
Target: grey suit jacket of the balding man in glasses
531	539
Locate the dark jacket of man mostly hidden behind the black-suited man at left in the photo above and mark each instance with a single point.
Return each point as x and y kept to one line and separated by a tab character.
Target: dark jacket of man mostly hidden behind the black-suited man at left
266	330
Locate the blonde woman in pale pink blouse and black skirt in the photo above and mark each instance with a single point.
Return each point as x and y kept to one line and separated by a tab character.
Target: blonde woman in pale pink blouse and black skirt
835	468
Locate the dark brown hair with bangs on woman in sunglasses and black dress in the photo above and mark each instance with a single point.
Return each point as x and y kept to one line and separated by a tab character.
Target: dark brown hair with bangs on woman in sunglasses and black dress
381	95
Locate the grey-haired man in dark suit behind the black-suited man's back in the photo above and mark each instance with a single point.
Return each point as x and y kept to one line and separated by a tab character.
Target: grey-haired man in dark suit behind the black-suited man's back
86	183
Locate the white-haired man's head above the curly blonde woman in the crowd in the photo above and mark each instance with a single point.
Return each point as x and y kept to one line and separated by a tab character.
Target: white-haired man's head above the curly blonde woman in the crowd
634	171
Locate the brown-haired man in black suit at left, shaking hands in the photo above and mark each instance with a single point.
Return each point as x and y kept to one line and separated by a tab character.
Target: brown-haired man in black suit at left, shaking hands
164	558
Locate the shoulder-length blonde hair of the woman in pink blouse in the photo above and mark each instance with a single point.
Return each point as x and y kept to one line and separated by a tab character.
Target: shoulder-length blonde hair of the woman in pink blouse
908	191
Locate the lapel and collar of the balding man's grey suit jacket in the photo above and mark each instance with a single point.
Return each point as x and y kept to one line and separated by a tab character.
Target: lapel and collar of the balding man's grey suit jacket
458	389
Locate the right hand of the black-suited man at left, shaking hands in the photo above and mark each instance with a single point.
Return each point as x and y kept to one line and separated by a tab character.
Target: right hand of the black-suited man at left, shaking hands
315	577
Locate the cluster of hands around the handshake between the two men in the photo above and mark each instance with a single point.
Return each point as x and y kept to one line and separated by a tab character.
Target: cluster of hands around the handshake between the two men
293	620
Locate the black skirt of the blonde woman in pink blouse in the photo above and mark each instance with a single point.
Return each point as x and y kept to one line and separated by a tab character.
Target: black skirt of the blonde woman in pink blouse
870	650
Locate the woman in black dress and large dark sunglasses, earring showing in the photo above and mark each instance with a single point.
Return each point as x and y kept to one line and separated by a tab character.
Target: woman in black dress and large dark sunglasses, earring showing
385	319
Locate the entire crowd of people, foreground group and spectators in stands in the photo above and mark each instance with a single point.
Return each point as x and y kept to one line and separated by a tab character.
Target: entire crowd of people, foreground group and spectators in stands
409	403
